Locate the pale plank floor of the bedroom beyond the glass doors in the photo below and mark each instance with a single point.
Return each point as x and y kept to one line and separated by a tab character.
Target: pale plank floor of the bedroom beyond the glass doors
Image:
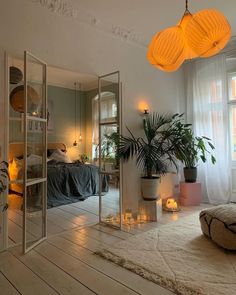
59	219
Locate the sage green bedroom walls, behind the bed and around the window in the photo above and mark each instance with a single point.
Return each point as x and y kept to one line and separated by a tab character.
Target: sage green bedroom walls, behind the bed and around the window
61	104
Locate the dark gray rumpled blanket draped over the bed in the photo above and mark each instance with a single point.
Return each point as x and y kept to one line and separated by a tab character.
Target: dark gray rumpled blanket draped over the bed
69	183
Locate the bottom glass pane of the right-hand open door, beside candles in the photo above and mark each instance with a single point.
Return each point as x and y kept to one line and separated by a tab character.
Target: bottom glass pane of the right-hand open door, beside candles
110	199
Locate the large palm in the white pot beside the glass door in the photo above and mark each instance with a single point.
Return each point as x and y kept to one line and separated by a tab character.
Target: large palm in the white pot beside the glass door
153	151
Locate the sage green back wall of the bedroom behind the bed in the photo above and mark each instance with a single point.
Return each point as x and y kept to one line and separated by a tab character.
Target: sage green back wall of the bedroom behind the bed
61	103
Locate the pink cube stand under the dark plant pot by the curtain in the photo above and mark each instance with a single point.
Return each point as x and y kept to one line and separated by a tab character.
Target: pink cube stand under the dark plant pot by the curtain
190	193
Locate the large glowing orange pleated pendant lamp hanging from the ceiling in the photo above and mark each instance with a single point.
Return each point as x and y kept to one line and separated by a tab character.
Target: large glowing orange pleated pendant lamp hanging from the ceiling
199	35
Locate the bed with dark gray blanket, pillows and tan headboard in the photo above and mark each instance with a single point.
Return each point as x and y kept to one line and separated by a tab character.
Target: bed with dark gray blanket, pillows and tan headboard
67	182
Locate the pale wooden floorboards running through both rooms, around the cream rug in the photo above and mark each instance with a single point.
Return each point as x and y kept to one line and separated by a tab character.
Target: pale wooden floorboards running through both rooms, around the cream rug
66	263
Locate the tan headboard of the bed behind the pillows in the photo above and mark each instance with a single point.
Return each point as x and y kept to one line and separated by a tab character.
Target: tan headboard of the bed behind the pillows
16	149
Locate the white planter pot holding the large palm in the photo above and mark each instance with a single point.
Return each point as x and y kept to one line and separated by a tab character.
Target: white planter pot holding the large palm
149	188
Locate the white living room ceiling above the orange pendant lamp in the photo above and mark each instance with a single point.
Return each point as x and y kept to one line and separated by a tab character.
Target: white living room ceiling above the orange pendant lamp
146	17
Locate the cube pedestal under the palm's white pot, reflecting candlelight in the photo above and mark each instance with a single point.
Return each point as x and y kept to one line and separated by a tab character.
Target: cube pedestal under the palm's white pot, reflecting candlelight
150	210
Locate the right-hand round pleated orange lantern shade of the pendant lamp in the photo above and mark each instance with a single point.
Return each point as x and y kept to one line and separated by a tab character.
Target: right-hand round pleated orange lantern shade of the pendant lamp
207	32
